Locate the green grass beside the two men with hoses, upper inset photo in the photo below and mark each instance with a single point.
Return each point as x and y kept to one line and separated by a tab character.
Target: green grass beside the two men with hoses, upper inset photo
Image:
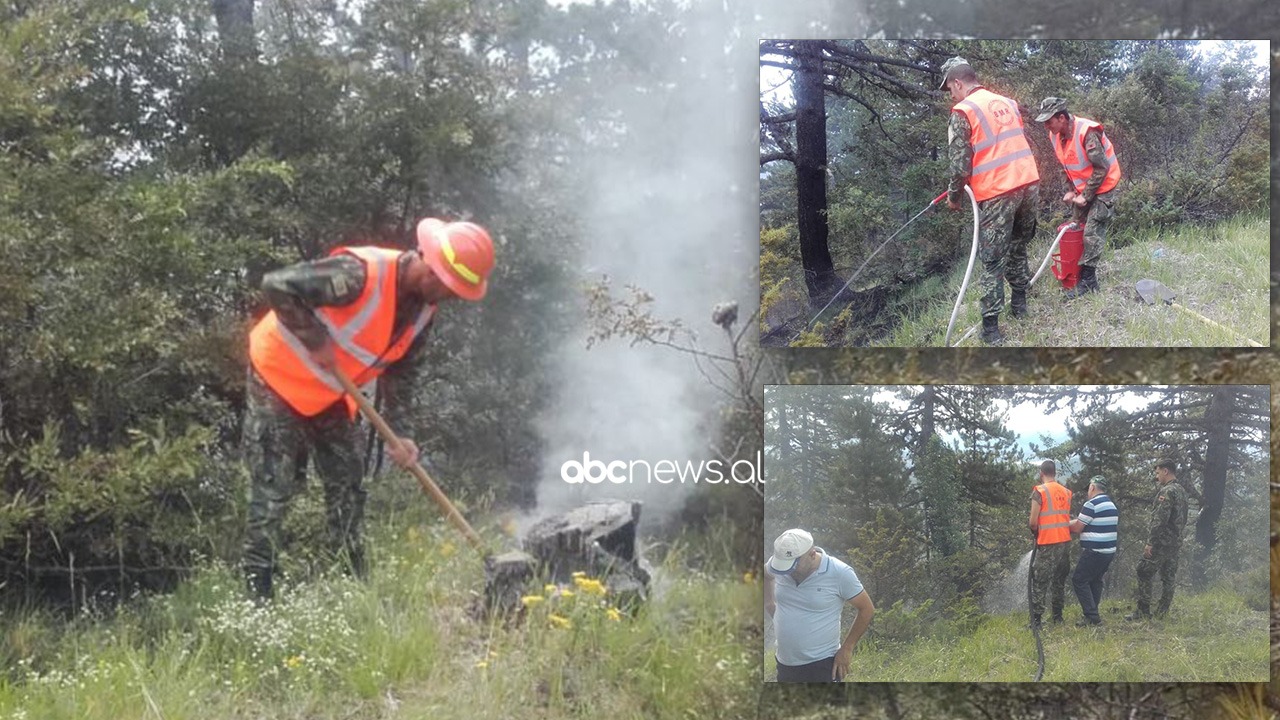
1220	272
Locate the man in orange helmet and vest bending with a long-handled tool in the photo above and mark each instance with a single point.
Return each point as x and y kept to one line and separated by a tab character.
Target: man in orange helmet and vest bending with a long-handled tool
281	440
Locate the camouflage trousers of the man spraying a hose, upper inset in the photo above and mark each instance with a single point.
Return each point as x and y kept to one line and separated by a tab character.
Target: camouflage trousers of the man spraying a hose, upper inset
1005	229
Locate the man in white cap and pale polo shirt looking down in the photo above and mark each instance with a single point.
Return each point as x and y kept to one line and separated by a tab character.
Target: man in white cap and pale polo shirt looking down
804	593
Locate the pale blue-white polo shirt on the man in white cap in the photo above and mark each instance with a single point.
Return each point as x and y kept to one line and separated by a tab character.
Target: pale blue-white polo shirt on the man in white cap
807	621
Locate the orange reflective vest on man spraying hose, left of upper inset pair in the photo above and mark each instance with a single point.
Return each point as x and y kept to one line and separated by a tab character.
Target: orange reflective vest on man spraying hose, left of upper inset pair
1003	161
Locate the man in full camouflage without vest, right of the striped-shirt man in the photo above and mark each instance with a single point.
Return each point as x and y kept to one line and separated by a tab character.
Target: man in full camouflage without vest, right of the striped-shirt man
1168	521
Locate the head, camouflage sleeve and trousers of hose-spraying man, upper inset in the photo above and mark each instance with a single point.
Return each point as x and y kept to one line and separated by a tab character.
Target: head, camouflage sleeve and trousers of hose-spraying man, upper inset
1007	222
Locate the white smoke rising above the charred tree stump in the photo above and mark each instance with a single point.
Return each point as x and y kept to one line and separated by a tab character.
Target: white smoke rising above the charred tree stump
675	212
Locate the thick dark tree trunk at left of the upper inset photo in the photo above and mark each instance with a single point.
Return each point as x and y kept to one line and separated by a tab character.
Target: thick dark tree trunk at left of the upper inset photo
820	274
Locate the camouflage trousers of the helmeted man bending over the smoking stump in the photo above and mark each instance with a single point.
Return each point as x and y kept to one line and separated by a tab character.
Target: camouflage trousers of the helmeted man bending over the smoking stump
278	444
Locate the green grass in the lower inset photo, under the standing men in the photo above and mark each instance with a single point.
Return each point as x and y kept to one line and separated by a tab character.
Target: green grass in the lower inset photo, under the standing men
1208	637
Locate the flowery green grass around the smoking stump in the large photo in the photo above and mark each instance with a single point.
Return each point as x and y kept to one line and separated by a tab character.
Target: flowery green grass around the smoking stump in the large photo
401	645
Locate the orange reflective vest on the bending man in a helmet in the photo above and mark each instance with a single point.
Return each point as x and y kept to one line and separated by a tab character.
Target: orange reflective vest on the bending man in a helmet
362	334
